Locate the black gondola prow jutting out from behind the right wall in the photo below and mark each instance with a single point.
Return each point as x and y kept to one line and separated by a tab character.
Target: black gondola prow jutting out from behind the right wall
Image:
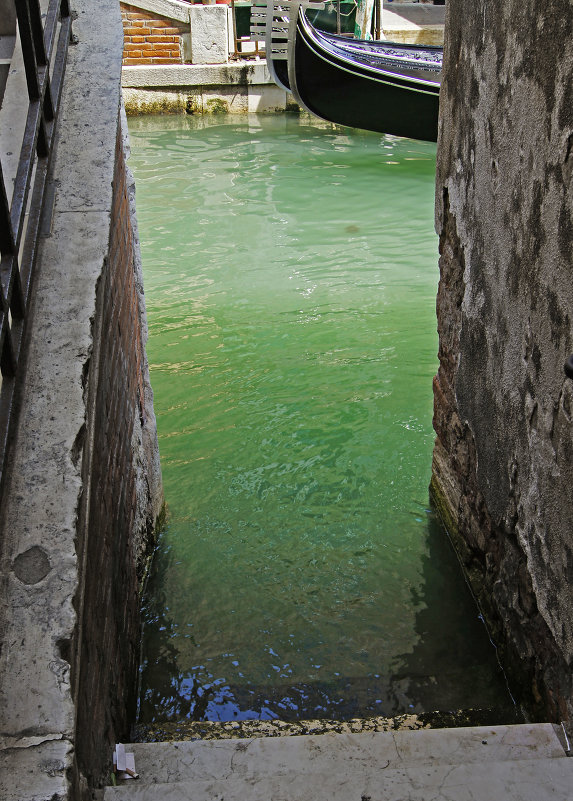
378	86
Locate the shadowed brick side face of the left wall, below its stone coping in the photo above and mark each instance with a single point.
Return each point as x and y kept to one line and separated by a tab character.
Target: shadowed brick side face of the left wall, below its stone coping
117	539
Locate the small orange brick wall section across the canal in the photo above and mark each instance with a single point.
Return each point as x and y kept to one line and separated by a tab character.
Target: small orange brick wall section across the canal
150	38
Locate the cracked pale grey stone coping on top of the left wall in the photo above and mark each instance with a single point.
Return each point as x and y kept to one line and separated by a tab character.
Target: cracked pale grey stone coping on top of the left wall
39	565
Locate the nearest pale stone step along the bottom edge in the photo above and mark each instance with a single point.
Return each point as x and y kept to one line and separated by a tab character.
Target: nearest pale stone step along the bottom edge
513	780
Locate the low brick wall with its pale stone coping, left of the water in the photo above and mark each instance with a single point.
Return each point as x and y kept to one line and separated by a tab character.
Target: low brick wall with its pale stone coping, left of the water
83	486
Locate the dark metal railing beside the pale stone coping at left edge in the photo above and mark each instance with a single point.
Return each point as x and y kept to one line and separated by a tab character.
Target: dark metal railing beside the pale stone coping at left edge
44	34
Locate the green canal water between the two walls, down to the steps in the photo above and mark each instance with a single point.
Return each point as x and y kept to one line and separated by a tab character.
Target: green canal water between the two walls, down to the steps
291	275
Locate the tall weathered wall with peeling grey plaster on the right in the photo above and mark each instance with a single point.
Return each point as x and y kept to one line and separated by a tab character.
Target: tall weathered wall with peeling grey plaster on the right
503	461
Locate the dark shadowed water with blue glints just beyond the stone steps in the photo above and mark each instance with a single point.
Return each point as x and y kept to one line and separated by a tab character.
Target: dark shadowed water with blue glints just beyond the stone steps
450	667
